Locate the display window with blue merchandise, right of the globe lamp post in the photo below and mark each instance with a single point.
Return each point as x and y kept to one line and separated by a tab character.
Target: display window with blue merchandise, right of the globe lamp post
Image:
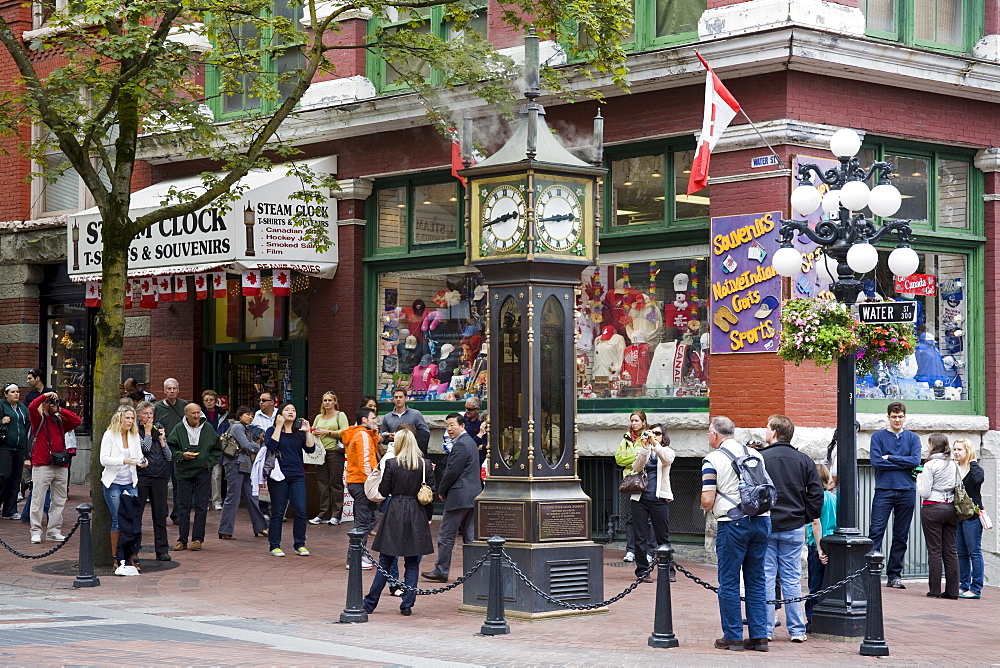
938	369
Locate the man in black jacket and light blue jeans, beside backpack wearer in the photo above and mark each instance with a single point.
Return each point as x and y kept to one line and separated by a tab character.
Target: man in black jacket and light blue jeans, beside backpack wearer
800	500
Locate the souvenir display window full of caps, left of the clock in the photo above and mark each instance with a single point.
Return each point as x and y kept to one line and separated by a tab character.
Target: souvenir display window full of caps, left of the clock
430	328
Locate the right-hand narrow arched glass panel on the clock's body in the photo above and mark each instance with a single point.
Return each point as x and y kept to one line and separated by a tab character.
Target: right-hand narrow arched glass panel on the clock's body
552	371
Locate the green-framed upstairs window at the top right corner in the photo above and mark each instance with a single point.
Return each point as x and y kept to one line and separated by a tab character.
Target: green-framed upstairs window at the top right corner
926	23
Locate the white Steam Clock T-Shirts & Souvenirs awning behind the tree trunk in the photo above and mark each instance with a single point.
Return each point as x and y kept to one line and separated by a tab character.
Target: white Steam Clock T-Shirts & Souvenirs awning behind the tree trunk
258	232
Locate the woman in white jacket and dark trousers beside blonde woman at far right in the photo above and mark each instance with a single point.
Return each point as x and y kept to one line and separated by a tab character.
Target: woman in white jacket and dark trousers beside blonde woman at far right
936	487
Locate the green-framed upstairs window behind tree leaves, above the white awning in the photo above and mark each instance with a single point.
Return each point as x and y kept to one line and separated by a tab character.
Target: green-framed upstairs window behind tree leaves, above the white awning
242	103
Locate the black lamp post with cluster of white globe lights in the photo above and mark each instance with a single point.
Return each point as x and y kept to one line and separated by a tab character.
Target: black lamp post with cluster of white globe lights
846	239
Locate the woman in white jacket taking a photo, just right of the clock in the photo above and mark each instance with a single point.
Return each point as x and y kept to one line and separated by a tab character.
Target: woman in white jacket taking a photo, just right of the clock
654	456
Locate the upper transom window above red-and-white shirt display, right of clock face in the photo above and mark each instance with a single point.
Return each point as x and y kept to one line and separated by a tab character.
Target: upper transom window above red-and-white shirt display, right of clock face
645	191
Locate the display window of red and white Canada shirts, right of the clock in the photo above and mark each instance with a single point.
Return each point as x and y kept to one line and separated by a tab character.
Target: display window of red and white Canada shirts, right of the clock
642	330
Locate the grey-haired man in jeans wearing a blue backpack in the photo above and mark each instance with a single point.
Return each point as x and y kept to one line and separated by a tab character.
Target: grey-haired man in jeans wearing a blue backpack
737	491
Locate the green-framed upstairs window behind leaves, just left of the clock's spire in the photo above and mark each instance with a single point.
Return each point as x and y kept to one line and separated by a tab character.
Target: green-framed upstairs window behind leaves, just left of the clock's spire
432	20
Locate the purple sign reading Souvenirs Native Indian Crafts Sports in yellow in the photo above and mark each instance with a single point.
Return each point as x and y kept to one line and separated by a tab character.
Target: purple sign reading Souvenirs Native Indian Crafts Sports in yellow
746	291
